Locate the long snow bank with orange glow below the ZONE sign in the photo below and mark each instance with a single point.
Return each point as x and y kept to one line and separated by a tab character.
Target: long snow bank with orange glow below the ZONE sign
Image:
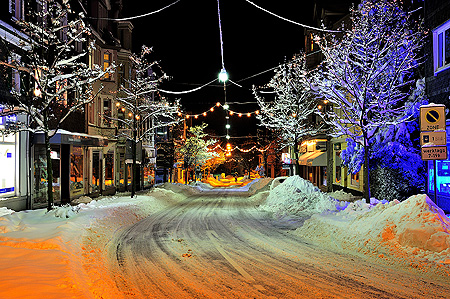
415	229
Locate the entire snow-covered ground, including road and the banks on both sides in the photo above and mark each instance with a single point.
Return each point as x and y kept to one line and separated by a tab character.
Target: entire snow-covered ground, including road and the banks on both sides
185	242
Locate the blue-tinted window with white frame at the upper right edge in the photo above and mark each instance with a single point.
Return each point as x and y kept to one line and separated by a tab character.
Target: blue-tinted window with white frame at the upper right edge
441	47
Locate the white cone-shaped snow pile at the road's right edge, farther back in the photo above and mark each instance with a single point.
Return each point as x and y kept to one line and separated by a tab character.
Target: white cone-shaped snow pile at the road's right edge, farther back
299	197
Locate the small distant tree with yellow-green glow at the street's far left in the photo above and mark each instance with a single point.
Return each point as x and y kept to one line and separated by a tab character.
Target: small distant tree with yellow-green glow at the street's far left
195	150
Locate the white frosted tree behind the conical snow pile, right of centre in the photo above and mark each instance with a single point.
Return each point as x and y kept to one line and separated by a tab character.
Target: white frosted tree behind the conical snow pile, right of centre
291	113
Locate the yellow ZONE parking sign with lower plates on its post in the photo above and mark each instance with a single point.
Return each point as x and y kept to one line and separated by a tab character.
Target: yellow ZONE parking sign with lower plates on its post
433	136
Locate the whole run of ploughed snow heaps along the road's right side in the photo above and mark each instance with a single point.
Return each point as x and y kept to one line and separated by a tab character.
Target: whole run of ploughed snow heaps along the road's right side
415	228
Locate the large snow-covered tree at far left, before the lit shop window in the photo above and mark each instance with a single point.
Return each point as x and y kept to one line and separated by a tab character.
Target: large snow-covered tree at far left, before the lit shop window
58	77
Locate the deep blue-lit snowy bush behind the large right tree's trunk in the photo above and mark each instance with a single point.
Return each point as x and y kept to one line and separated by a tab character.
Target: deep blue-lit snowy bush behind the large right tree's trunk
397	169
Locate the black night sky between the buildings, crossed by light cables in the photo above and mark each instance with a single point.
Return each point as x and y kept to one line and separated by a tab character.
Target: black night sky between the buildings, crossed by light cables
185	39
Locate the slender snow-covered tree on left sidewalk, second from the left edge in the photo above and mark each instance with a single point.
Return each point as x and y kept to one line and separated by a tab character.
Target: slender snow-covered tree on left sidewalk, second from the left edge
145	111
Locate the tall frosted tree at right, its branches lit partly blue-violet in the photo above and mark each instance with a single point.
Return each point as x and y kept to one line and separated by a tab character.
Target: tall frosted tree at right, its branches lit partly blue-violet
368	73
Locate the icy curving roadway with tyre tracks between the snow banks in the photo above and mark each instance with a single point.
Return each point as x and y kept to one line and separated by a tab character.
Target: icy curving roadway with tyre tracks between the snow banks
218	245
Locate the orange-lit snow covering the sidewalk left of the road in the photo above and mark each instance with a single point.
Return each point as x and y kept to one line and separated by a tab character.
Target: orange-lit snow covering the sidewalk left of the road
47	255
